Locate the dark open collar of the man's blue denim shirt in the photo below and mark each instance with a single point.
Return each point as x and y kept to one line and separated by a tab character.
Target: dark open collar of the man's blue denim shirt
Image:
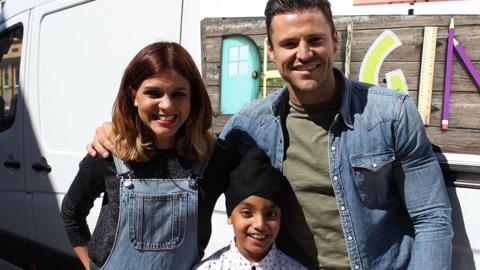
279	105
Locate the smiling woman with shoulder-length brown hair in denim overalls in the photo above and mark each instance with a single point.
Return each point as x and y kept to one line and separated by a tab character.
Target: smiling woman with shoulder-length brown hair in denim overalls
161	187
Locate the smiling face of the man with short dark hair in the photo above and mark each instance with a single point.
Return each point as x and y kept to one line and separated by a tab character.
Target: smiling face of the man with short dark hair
303	49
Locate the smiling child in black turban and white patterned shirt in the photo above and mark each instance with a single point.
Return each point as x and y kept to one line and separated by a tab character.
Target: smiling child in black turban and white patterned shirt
254	200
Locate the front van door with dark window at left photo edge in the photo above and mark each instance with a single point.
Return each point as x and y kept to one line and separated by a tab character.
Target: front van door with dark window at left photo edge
15	215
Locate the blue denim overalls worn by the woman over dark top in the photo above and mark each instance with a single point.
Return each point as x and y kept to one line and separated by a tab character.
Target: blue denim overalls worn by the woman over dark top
157	226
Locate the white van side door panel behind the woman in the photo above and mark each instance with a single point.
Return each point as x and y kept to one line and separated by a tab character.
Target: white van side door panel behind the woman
79	50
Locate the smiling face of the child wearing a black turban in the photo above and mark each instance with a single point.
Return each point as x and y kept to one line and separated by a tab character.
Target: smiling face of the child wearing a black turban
256	222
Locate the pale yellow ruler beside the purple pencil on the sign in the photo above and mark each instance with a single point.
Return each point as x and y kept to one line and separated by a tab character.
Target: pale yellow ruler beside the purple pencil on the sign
426	73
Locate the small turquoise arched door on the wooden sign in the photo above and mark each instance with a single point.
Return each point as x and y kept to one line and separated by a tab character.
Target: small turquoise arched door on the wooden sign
240	73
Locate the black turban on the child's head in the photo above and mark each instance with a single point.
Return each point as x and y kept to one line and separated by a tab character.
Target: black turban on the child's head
255	176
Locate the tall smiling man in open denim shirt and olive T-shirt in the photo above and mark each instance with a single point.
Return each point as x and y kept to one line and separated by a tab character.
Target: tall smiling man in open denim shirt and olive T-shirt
369	191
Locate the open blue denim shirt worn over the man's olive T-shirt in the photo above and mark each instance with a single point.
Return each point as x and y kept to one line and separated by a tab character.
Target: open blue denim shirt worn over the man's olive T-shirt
388	186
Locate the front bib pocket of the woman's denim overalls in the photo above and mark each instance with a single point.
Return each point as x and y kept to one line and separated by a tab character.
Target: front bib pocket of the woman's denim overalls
157	222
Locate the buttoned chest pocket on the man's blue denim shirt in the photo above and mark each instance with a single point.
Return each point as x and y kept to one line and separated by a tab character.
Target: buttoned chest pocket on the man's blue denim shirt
372	174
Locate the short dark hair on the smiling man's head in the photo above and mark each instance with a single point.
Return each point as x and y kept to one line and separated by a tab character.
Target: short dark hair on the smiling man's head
276	7
